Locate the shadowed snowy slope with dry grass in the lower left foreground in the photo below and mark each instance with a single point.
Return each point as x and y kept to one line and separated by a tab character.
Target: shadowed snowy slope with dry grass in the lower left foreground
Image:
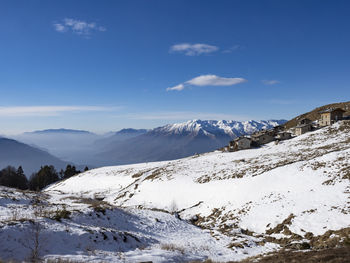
76	229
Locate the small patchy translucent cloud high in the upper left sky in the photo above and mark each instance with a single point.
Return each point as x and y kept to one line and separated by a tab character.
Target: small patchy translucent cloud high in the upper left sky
77	26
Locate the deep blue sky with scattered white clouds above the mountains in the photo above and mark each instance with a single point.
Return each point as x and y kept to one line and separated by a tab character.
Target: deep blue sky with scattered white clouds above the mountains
107	65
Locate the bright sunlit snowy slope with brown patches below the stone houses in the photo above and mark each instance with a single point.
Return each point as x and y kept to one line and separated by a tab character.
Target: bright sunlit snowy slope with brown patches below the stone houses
296	176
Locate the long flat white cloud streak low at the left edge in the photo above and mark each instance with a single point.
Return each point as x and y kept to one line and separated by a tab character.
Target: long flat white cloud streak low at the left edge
13	111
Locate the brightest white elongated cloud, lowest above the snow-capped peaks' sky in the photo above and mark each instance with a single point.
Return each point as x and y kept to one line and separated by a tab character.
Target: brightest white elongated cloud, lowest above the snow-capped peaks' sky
207	80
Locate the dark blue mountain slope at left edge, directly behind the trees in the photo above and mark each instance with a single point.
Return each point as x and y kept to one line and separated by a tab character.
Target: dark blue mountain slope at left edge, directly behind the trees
15	153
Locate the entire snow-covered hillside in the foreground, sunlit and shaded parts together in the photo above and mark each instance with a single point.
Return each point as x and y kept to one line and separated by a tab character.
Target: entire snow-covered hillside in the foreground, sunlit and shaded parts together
231	205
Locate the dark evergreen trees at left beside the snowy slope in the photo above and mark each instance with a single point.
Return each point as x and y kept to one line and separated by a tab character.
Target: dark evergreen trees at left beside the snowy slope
15	178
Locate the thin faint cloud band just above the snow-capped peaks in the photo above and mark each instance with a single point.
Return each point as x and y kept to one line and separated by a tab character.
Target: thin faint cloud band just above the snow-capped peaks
186	115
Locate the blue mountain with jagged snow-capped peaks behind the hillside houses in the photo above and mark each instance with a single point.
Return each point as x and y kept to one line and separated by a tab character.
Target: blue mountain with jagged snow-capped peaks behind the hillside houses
179	140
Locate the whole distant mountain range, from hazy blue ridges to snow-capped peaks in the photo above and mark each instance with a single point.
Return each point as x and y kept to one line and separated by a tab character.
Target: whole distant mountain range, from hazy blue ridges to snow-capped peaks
168	142
